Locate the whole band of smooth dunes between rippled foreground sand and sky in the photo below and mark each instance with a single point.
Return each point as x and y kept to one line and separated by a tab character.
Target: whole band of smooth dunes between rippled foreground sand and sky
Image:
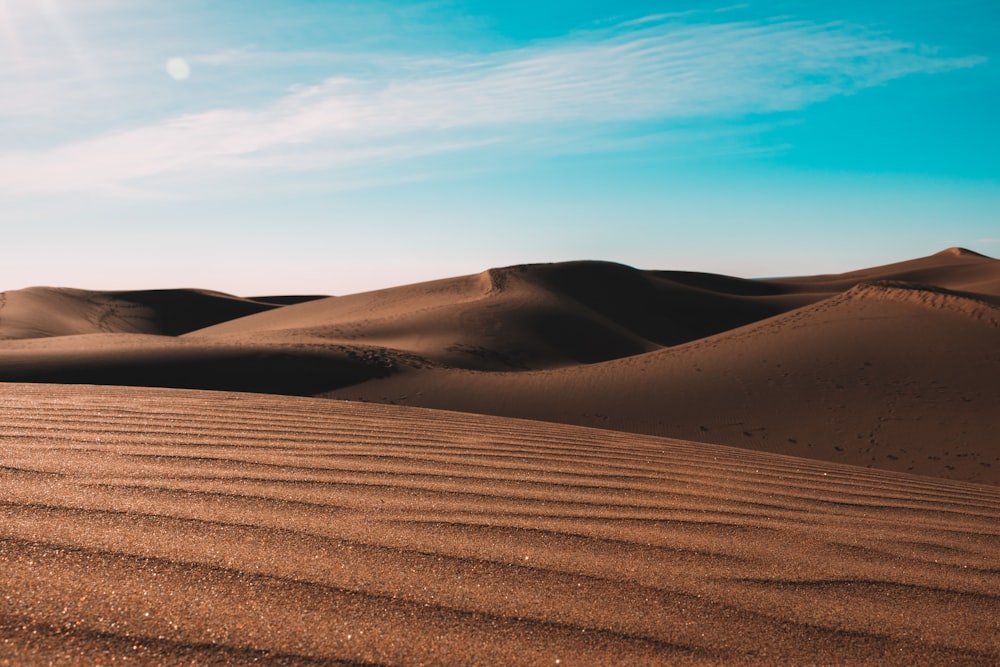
892	367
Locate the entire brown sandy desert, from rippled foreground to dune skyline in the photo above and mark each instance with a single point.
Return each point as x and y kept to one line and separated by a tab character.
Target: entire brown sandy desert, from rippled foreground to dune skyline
576	463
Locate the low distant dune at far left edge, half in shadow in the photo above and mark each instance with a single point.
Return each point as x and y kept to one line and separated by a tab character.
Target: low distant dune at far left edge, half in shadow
37	312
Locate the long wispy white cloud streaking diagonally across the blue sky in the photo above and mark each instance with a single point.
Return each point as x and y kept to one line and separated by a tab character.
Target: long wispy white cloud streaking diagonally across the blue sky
647	70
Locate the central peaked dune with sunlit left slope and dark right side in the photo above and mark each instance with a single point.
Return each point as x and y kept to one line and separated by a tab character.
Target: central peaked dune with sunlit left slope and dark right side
523	317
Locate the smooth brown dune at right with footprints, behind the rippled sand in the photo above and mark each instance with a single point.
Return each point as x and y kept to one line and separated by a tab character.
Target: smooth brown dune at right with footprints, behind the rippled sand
887	374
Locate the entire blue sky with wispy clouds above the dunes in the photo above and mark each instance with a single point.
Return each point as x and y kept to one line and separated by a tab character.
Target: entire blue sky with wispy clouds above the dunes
317	146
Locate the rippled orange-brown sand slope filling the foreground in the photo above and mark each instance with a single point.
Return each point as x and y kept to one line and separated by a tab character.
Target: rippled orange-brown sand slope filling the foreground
179	527
